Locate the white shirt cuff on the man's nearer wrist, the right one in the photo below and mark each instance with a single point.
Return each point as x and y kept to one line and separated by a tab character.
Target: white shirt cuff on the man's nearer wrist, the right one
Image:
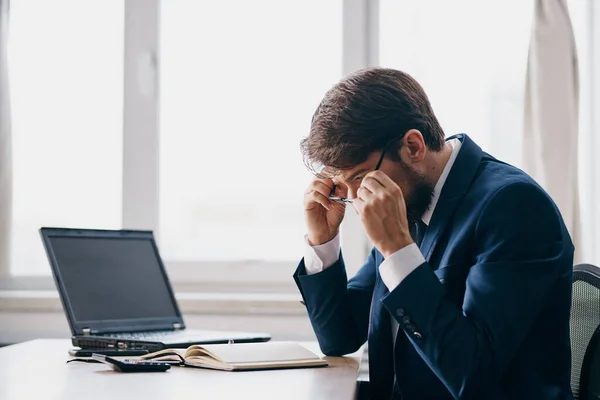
399	265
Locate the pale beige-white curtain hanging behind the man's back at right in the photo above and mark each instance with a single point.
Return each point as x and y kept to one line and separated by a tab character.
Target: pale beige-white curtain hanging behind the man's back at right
551	110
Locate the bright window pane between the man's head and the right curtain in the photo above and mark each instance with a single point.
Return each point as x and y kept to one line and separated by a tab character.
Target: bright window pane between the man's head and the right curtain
470	56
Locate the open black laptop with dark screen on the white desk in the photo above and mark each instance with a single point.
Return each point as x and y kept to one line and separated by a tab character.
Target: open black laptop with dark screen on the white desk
116	293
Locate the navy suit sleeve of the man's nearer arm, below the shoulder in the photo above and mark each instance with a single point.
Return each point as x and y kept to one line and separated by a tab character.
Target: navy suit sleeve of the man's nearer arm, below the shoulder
520	248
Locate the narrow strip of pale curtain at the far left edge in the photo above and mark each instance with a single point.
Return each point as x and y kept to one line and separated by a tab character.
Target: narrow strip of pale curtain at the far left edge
5	145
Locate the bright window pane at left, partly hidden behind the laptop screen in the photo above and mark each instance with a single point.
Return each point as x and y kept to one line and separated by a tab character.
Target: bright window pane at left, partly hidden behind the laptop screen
66	77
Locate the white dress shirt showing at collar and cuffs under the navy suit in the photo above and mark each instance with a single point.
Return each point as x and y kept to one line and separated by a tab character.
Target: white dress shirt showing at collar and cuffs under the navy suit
397	266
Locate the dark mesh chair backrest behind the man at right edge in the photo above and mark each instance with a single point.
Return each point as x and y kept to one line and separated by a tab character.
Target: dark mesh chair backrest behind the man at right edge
584	323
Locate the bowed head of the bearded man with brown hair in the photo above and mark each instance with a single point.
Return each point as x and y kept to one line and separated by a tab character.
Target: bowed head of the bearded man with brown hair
368	112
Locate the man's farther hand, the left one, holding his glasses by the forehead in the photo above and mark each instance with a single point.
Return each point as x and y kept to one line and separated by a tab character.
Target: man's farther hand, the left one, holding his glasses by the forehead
323	216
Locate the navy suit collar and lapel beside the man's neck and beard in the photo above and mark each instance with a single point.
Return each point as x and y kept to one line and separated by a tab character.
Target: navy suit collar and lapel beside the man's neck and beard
456	186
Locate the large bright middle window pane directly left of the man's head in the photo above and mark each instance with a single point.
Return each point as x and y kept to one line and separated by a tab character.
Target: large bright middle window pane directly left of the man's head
239	83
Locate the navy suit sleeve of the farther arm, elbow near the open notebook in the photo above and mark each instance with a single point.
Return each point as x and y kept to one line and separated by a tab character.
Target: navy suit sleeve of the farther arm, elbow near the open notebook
338	309
